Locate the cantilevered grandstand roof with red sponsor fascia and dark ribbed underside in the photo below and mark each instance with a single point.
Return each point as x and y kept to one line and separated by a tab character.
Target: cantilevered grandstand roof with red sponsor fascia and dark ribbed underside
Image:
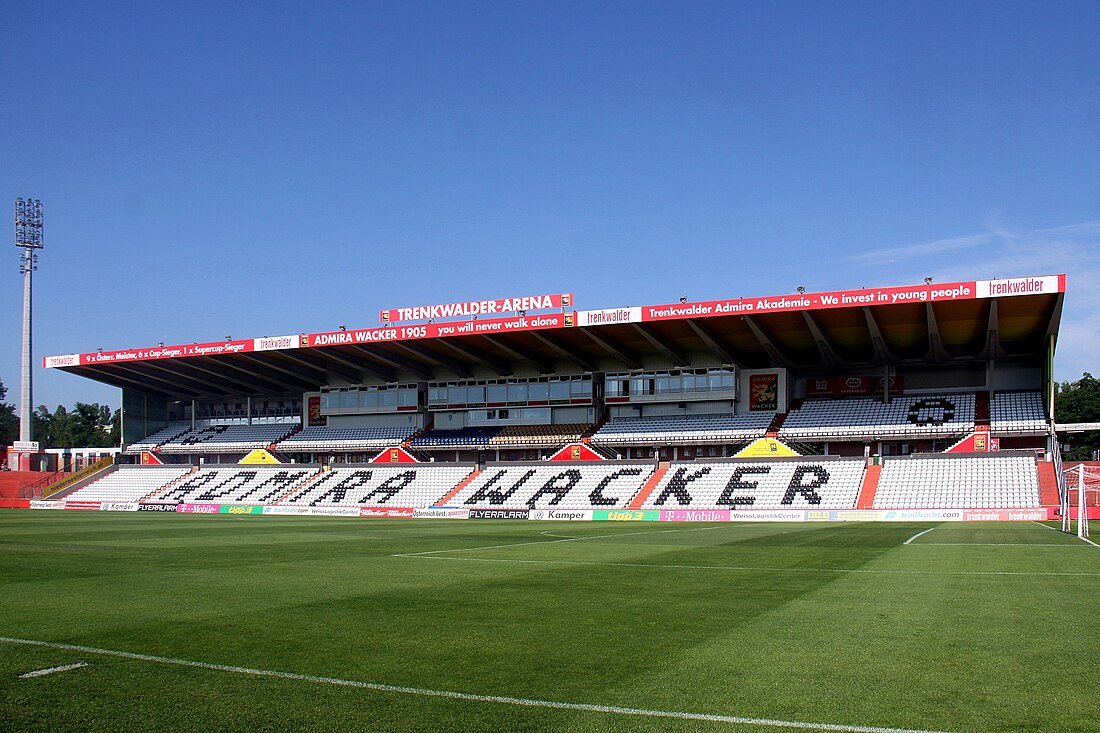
927	324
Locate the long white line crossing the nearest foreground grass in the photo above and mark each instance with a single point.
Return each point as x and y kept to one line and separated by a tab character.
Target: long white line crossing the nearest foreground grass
615	710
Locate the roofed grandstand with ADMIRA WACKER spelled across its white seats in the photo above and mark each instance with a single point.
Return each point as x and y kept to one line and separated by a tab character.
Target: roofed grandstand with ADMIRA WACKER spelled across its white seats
859	393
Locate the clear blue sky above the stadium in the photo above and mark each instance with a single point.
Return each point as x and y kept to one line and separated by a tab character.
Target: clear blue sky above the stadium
214	169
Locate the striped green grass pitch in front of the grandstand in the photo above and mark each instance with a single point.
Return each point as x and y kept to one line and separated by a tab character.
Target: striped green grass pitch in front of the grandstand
202	623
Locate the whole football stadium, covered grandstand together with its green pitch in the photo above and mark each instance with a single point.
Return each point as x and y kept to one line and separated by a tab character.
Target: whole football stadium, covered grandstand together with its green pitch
839	511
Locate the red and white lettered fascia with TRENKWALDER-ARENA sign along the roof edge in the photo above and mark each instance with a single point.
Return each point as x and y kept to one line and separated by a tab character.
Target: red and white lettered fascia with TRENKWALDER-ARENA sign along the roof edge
532	313
